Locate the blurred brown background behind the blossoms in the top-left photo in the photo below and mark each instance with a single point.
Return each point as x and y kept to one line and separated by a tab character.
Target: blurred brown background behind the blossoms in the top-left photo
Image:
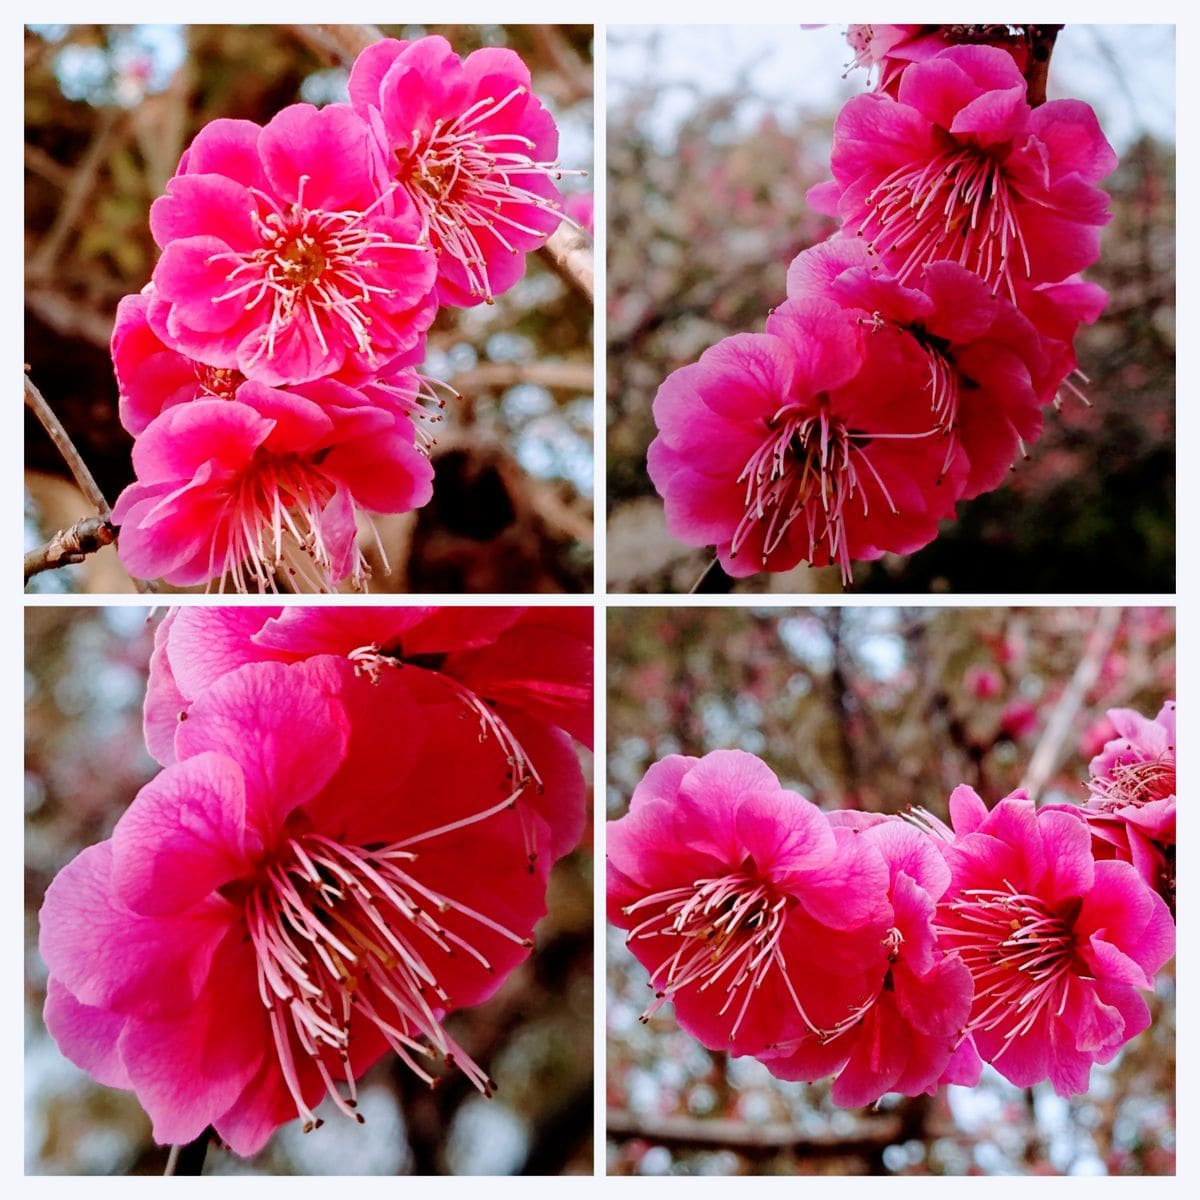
110	110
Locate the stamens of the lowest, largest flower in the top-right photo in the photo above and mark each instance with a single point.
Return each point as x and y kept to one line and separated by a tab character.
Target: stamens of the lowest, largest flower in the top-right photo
808	470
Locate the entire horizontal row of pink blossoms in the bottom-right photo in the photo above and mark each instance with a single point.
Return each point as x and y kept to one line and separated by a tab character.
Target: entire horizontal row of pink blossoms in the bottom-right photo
897	956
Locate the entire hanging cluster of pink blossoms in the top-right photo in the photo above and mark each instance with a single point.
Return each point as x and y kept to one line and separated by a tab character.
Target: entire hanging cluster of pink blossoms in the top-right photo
921	345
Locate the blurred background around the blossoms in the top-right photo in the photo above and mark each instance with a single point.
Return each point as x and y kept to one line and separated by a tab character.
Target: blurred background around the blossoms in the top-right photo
715	136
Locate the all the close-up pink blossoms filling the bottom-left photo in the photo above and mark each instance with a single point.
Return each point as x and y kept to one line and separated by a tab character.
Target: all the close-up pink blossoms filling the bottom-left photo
351	838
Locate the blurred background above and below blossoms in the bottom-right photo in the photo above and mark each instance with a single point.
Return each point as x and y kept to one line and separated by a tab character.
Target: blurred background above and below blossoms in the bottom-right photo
878	709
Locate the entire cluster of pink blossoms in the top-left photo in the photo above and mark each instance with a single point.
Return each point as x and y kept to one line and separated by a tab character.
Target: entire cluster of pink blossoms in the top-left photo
269	370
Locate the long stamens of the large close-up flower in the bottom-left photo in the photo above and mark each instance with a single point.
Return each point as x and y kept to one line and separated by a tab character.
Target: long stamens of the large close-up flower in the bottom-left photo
346	935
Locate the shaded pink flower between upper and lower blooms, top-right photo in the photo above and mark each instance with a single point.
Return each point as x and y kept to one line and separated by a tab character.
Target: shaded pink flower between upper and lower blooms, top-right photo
987	373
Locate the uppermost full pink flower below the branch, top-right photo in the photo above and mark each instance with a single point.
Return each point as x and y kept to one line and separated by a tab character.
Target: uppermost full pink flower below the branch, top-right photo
959	167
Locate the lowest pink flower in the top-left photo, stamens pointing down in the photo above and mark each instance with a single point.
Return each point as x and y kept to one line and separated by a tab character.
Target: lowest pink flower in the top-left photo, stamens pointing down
268	482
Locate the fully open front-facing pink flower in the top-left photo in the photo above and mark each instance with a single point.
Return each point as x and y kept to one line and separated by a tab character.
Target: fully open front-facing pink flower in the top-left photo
285	255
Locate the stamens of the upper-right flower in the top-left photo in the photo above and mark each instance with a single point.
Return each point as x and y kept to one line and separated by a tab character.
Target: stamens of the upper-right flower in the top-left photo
466	179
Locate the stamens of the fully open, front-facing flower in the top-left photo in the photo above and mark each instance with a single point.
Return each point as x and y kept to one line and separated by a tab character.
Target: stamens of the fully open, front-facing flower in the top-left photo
316	268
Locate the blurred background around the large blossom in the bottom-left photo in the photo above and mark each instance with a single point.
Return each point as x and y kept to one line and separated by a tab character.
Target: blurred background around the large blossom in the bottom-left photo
86	673
